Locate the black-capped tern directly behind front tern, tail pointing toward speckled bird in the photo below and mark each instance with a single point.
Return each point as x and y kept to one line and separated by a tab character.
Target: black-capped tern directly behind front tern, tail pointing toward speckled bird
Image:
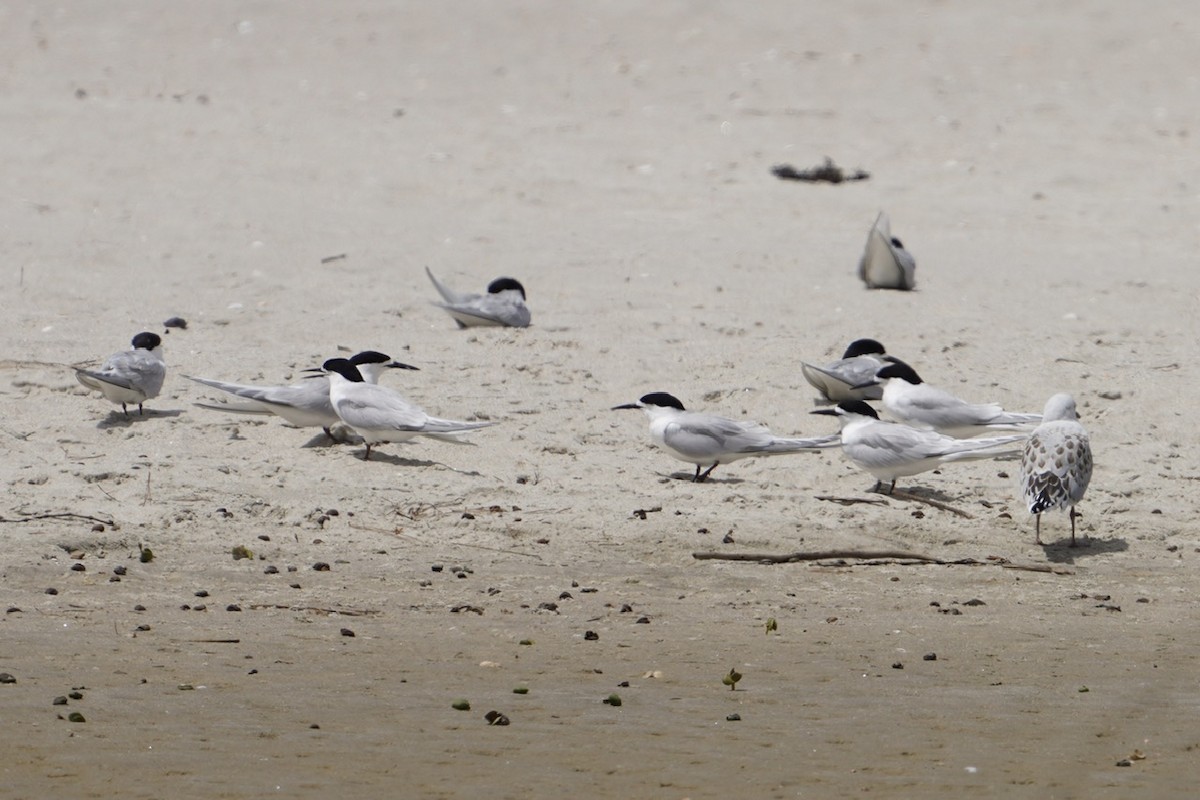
916	404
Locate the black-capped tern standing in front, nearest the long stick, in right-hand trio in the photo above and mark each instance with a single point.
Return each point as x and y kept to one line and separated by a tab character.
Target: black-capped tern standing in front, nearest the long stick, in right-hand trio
891	450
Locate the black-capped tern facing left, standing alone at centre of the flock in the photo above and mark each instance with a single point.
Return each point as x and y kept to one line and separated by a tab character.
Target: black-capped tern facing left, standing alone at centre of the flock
710	441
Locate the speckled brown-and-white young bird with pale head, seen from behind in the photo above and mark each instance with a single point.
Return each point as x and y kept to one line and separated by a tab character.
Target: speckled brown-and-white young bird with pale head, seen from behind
1057	466
